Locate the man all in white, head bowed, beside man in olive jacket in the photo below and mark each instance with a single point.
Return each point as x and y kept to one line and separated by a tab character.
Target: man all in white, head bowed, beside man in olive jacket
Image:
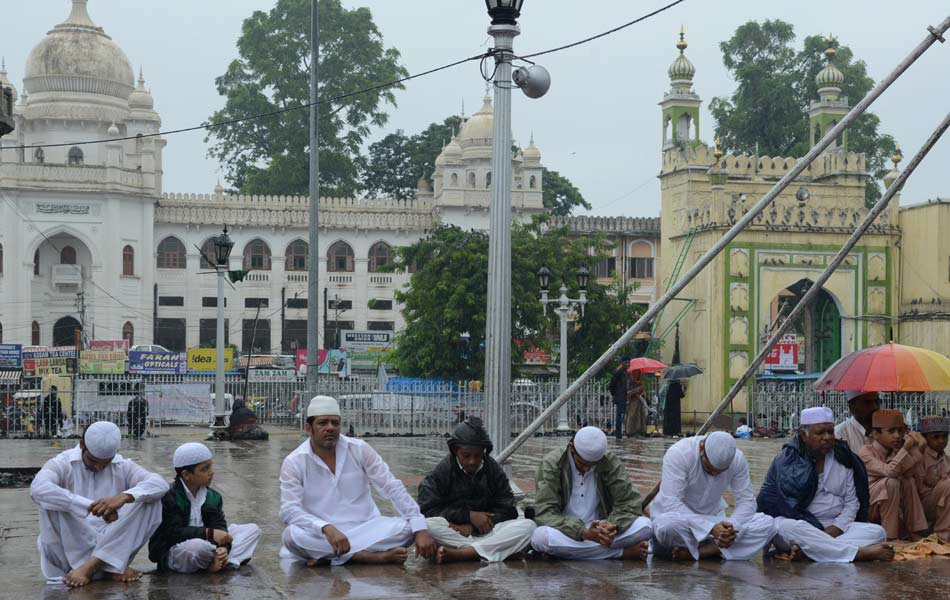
689	519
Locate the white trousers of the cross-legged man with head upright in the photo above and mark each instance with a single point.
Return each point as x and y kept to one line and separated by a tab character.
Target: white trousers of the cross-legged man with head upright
376	535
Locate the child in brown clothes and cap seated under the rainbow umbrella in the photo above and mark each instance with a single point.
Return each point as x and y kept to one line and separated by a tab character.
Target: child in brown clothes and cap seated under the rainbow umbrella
892	461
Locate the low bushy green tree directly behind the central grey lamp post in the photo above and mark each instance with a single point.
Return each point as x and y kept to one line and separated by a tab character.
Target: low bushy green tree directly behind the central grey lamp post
444	306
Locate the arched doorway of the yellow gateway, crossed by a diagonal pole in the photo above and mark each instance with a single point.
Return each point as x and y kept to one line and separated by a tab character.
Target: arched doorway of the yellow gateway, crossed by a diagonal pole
817	329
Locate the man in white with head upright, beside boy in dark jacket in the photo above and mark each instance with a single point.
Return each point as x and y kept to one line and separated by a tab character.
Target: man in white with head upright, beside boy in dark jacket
326	504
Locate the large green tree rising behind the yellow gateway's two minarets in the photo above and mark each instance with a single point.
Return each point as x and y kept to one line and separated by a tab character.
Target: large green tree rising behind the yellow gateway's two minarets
776	84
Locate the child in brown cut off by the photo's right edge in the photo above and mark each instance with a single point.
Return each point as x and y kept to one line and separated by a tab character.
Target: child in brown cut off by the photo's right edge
933	476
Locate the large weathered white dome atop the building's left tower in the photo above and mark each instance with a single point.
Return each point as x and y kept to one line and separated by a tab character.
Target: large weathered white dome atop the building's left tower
77	56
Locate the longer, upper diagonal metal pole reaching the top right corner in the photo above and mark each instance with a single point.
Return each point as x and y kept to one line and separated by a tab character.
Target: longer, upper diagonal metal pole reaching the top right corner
934	34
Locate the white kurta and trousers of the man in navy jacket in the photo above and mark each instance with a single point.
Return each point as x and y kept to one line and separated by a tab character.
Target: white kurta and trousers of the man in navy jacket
835	503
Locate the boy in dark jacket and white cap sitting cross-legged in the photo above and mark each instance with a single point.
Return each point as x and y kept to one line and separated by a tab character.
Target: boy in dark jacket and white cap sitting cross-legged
194	535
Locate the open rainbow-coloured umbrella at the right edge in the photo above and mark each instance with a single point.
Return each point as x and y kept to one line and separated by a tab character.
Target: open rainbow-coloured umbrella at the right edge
889	368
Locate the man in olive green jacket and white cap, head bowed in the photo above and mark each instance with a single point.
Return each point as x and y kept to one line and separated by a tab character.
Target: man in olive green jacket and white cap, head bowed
585	505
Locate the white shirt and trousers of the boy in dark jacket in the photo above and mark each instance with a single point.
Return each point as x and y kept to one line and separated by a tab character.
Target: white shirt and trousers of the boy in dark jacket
196	555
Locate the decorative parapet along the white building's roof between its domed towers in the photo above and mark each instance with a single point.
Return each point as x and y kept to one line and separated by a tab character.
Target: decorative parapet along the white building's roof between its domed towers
293	211
